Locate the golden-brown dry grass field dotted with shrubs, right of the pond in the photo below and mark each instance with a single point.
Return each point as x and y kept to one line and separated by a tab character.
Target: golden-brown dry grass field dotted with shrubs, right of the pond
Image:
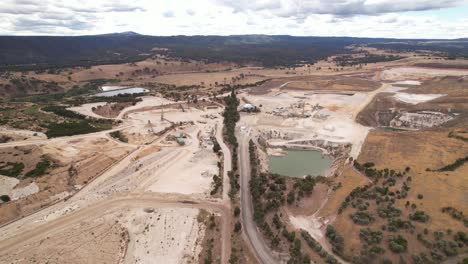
430	191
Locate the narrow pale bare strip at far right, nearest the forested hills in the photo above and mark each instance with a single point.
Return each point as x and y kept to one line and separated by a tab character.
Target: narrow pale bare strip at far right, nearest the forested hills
406	73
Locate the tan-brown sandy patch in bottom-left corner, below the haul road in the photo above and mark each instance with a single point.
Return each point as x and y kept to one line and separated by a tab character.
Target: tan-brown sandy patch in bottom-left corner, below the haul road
96	241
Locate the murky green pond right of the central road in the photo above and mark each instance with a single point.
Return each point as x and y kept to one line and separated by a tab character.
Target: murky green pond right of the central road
298	163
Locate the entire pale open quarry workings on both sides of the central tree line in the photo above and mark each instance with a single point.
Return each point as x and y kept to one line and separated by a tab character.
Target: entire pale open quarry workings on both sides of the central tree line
140	201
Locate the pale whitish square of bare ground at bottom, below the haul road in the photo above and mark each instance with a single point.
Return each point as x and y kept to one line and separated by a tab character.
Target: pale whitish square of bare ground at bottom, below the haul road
165	235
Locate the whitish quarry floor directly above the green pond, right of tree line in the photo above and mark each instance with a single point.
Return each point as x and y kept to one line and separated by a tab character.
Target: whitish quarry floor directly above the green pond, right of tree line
333	122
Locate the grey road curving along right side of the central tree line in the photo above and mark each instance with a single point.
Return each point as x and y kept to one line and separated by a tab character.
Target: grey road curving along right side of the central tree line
250	231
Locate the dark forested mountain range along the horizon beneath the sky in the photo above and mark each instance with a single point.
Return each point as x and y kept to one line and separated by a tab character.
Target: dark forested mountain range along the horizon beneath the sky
35	51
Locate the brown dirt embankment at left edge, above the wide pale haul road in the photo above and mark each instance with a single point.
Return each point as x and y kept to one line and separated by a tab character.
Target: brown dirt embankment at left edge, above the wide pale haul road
72	165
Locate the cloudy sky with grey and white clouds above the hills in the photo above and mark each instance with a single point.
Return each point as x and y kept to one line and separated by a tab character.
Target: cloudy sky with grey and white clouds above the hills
359	18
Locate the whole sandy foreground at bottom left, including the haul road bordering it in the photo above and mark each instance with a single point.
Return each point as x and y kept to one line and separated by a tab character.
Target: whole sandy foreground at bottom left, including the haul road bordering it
140	228
